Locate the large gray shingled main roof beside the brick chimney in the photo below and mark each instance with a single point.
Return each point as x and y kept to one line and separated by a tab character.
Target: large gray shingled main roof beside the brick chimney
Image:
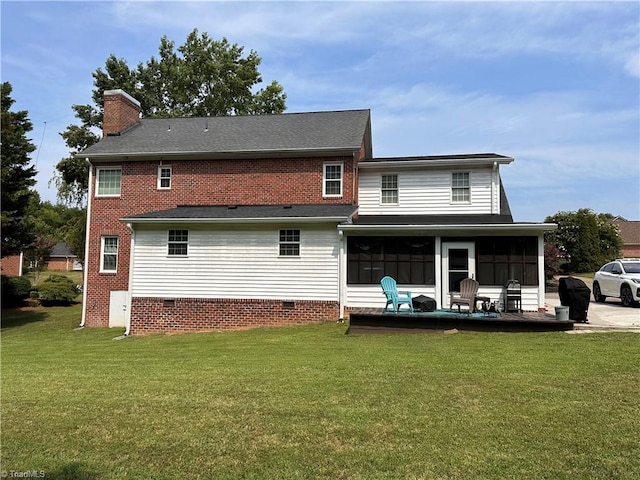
290	134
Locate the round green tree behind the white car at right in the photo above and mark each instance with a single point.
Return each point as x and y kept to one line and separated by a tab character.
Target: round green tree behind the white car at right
586	240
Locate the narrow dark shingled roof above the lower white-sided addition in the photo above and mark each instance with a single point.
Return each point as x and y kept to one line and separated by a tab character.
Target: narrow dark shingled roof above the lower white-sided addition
244	212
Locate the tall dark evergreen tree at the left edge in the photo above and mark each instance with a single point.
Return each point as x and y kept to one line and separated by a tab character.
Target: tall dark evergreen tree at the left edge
17	175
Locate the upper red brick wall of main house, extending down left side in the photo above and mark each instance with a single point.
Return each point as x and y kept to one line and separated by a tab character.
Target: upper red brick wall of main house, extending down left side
205	182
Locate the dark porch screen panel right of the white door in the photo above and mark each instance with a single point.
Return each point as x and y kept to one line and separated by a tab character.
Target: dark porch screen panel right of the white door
504	258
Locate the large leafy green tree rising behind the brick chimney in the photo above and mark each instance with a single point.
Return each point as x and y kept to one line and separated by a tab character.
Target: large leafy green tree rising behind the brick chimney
202	77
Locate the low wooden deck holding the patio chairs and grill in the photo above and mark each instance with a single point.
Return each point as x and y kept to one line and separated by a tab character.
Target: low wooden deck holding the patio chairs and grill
376	320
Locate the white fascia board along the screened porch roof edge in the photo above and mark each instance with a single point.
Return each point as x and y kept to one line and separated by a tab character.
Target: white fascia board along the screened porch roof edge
455	229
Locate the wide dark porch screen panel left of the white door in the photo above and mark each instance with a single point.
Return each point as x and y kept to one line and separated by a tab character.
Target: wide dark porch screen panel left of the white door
410	260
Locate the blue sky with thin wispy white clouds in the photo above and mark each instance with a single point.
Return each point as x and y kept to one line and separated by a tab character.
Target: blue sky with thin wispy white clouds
554	85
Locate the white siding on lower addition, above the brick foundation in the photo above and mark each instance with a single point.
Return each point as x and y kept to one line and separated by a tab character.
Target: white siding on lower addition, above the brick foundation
237	263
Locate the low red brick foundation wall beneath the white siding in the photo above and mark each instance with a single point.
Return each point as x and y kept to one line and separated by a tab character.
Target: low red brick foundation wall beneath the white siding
151	315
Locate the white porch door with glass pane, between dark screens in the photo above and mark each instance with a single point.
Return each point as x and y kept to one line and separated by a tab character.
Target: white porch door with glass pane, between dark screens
458	263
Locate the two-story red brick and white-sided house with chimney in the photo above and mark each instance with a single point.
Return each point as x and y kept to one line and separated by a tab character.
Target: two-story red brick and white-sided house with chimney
231	222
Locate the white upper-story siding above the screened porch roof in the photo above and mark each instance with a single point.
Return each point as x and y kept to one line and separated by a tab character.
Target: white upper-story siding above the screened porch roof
426	192
